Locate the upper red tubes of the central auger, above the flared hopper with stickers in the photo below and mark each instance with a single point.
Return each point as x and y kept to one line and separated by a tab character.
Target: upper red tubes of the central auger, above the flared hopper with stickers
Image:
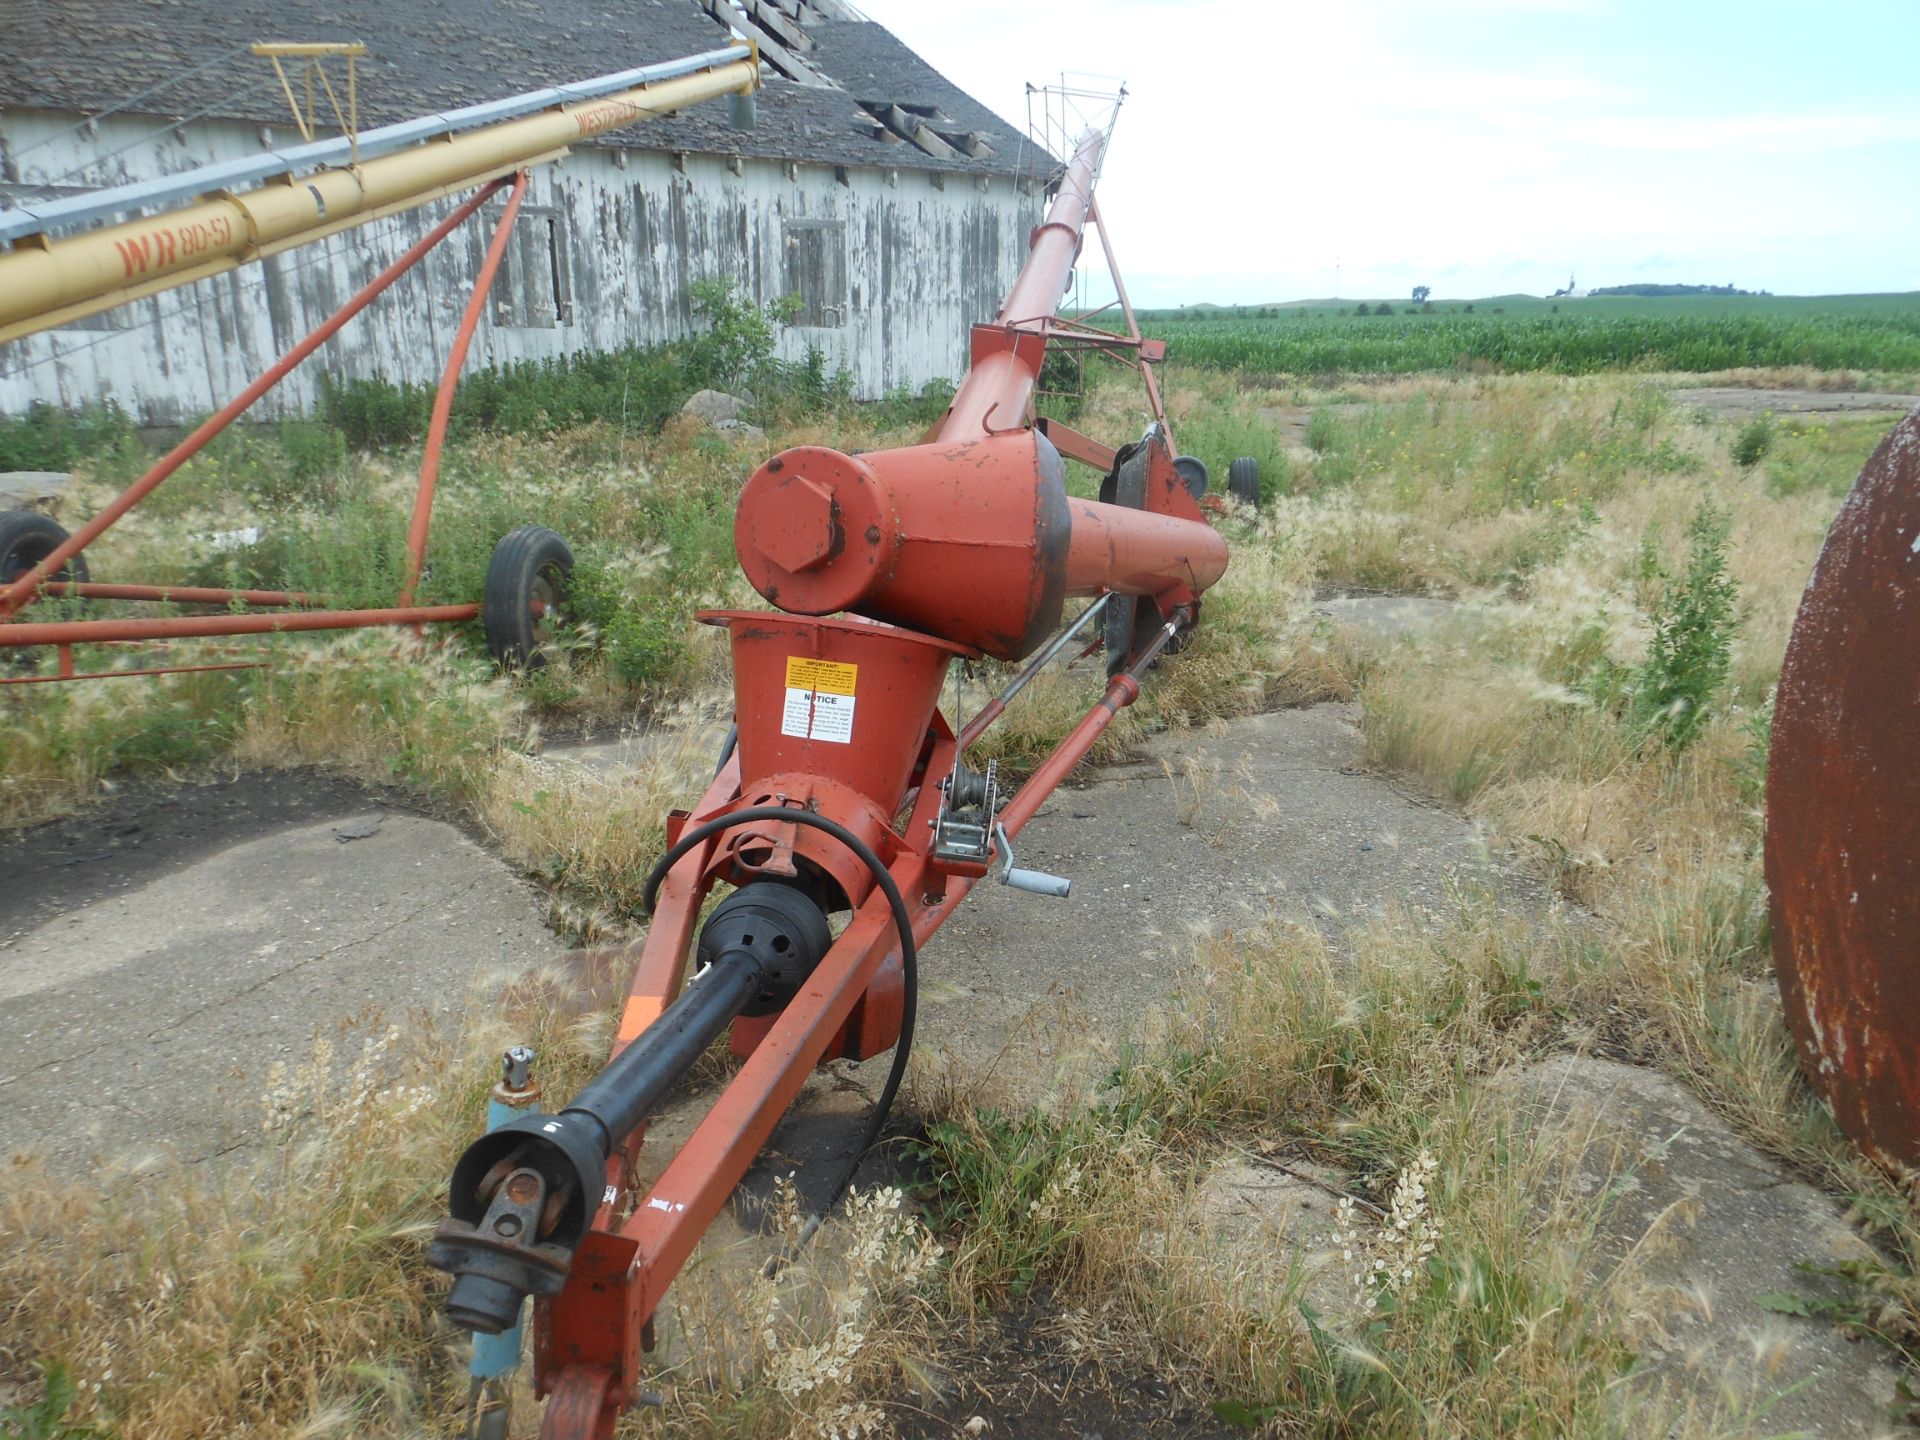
971	535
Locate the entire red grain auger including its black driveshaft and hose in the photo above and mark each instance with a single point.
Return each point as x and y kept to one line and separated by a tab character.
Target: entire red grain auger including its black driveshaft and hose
848	792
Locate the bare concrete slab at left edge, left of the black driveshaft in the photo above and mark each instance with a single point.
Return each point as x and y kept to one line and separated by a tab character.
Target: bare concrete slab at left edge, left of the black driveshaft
149	1019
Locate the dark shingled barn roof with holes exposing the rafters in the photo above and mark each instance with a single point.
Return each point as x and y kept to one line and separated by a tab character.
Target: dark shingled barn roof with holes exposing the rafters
861	99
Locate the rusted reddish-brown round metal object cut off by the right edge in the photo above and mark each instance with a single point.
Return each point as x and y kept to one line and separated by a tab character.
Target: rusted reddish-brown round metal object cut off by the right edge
1844	811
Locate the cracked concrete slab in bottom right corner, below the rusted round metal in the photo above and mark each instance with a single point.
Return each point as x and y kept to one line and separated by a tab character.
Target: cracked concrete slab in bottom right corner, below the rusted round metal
1733	1226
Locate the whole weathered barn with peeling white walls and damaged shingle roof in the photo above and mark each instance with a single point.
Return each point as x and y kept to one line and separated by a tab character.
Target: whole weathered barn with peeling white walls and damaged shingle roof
888	201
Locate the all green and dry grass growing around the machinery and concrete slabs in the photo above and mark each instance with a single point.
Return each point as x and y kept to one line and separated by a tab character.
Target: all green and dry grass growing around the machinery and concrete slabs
1610	546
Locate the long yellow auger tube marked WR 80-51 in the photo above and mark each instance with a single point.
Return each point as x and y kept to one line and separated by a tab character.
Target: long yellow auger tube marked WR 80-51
47	283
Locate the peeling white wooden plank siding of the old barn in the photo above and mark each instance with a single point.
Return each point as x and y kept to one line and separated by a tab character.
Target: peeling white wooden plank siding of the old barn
923	266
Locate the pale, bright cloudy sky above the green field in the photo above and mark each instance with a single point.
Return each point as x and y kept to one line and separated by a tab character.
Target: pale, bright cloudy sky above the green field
1479	147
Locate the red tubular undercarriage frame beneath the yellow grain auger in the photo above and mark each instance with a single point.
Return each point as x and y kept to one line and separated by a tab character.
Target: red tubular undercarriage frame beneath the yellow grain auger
297	612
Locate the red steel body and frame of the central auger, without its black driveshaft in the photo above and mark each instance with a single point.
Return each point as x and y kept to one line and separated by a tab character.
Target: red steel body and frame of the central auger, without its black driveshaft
800	535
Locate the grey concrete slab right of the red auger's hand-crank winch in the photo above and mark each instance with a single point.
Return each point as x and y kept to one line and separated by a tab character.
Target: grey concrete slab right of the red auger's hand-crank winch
1266	815
